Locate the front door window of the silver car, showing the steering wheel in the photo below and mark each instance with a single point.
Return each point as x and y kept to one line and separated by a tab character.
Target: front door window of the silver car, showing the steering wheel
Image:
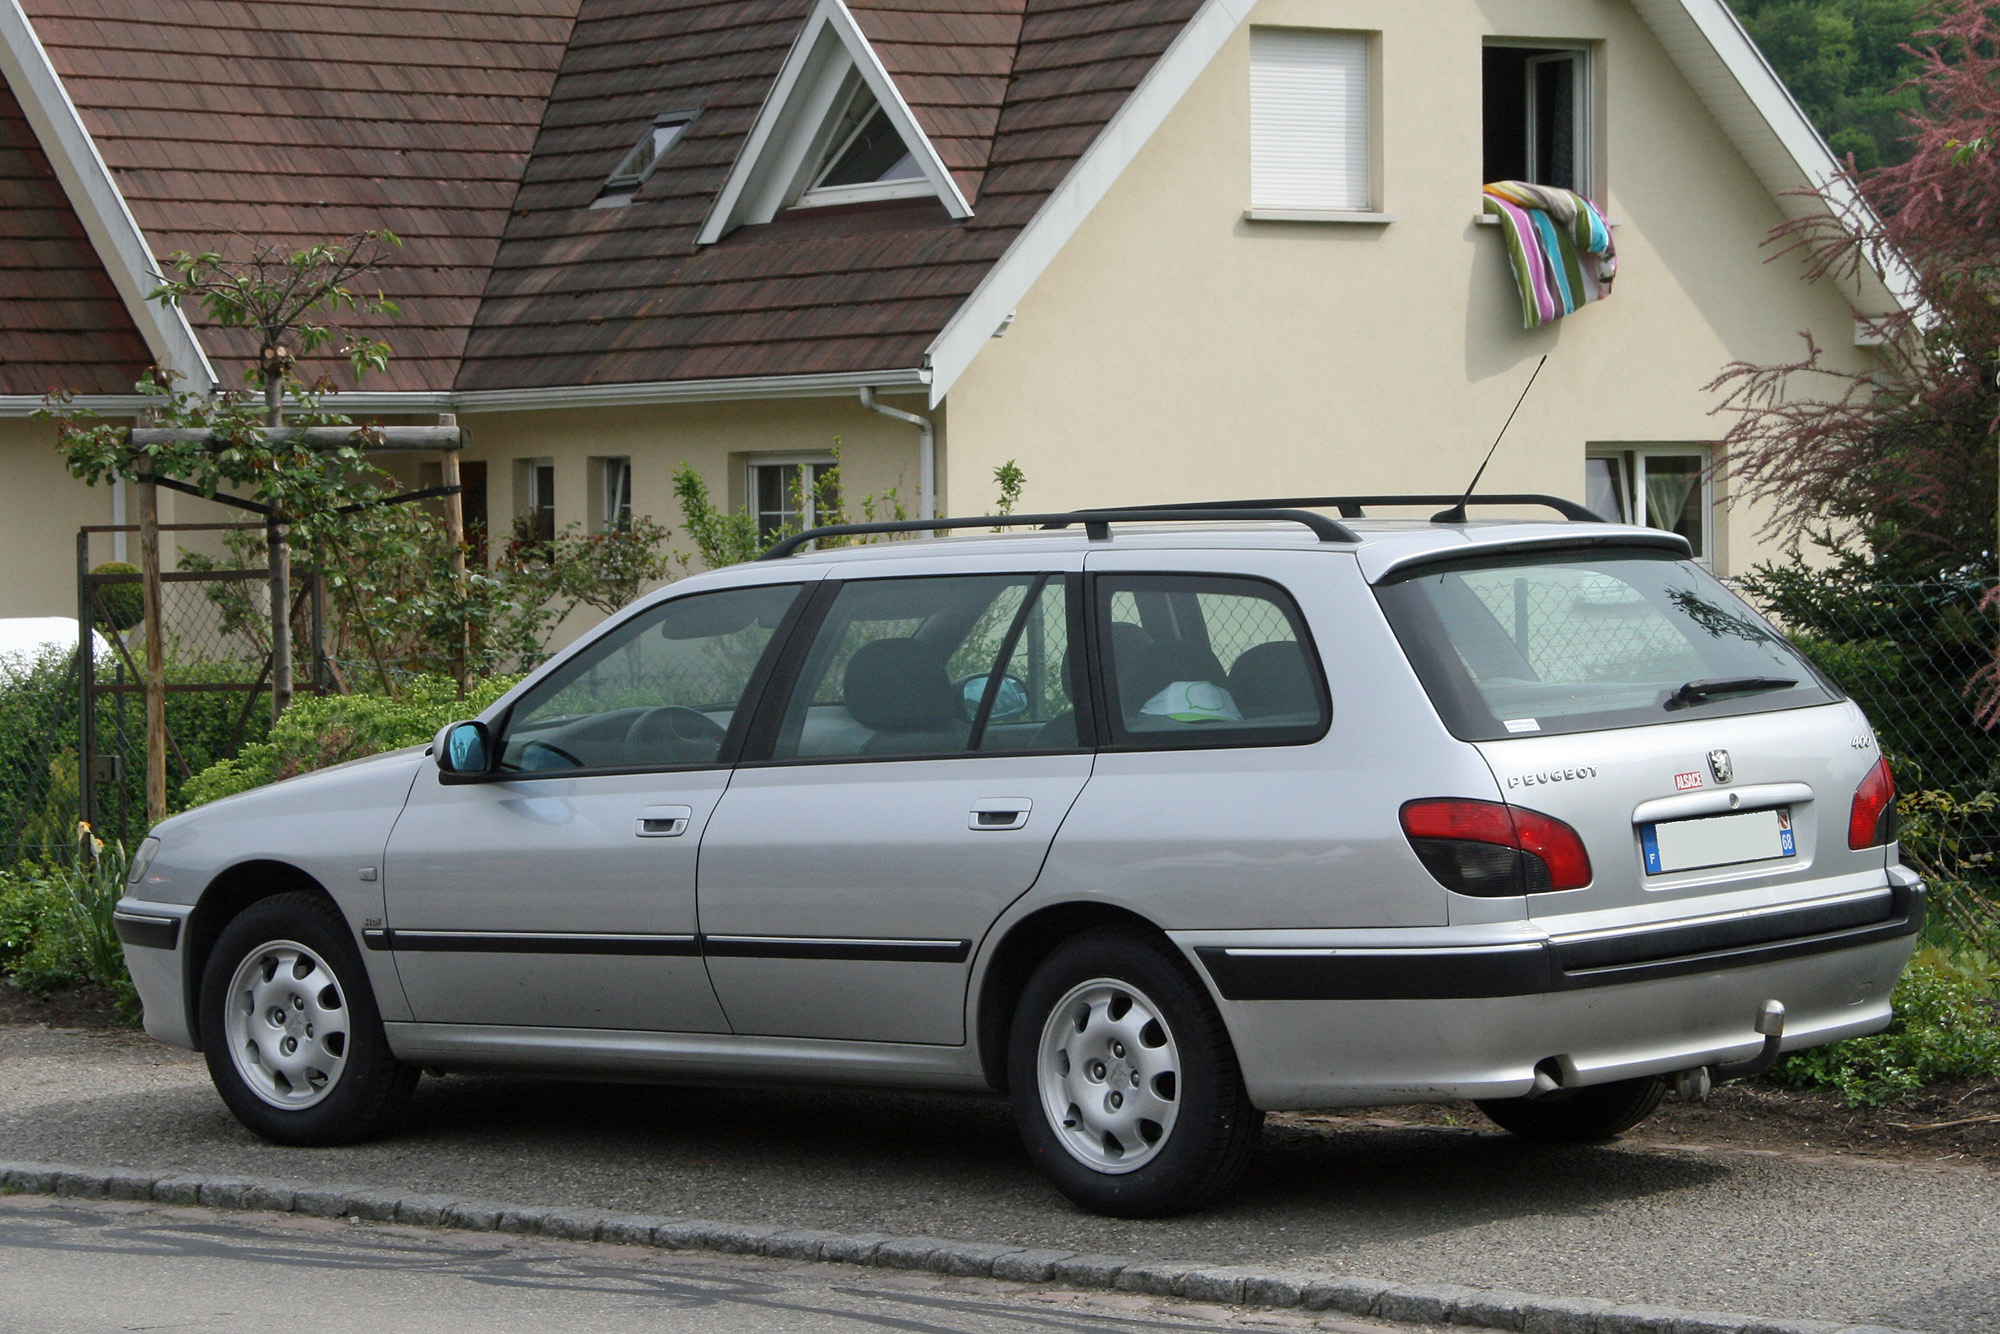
661	691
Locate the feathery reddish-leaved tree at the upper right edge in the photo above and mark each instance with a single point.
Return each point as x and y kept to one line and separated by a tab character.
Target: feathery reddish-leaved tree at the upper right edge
1899	461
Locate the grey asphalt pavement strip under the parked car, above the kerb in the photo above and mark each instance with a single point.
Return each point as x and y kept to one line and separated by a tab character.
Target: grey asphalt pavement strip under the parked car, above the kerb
1837	1239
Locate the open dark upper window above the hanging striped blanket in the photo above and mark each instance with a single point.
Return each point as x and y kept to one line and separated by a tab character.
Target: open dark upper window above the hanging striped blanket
1537	109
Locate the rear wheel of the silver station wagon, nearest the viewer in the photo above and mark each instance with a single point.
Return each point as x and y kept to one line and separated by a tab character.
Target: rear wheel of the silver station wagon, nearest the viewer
1123	1079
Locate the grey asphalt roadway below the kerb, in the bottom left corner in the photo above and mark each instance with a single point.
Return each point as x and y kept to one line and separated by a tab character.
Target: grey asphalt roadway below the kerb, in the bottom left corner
73	1269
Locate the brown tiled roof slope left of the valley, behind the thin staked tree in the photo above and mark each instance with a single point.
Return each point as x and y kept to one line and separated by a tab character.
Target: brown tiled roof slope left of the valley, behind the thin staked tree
295	123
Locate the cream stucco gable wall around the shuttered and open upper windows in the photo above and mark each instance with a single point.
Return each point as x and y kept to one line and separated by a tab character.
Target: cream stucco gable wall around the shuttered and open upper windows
1177	351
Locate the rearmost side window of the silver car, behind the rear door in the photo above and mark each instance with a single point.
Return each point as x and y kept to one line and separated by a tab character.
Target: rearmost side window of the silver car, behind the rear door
1207	661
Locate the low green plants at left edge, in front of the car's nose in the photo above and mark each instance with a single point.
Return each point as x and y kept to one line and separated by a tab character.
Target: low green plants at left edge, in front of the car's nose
57	925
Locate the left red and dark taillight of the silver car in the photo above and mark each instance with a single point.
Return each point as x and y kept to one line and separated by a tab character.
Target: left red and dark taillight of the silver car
1493	851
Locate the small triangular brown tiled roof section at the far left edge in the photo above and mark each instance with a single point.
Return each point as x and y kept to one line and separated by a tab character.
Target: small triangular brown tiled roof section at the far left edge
61	319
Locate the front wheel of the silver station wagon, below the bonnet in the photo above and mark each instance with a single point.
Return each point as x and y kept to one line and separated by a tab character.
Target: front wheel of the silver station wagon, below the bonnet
291	1029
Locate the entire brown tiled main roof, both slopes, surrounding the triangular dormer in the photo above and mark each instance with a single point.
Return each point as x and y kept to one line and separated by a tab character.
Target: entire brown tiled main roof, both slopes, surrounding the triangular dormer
481	131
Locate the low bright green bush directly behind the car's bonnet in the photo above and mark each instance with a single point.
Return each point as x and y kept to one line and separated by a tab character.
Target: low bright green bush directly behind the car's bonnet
319	733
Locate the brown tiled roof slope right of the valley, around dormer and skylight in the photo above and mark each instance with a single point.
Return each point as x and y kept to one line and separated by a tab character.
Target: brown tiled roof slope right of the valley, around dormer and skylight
625	295
